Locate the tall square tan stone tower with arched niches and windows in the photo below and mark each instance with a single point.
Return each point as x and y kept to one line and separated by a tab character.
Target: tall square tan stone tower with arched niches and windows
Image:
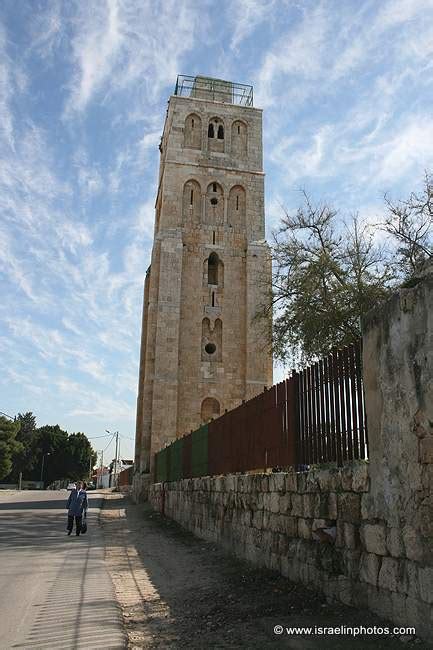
201	351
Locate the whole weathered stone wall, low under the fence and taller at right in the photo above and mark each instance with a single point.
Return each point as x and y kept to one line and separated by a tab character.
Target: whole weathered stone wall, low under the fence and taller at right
362	534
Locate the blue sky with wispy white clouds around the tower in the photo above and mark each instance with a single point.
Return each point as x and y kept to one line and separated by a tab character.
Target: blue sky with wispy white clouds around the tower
347	92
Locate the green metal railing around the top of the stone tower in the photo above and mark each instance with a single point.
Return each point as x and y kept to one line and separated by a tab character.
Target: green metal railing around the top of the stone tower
217	90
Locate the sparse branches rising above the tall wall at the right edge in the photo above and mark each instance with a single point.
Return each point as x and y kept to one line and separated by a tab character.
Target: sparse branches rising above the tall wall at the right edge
410	224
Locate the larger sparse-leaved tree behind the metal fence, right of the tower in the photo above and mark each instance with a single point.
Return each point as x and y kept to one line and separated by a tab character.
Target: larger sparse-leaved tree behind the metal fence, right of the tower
326	276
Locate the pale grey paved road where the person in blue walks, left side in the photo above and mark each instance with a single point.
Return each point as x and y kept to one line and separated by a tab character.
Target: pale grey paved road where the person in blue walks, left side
55	591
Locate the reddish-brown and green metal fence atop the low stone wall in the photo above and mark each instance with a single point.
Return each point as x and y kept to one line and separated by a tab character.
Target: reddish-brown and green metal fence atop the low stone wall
316	416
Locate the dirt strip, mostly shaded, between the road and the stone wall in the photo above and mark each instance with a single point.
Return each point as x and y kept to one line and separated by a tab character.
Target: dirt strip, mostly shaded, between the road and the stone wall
177	591
